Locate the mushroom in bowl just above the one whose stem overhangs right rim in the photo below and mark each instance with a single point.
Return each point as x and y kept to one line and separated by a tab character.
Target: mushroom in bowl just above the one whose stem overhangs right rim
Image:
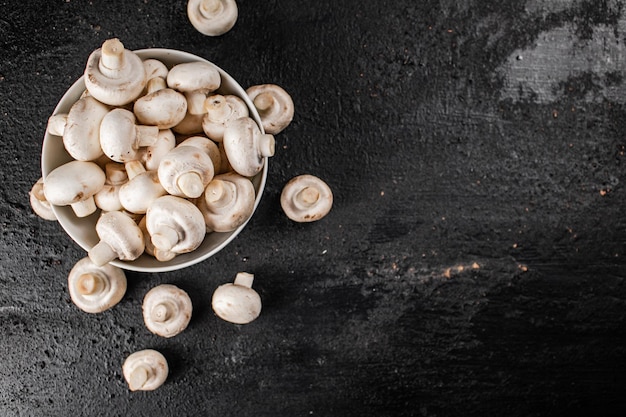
220	109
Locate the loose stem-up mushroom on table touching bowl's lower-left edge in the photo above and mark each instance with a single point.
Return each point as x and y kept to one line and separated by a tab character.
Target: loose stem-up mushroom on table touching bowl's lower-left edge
95	289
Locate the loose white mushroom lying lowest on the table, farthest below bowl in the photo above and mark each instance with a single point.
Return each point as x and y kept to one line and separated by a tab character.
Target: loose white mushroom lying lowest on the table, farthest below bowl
145	370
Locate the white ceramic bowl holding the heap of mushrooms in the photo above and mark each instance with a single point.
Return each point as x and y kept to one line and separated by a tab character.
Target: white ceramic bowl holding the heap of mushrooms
82	230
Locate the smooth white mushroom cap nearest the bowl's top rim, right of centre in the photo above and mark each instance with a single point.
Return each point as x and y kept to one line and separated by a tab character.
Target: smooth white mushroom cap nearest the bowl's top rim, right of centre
191	76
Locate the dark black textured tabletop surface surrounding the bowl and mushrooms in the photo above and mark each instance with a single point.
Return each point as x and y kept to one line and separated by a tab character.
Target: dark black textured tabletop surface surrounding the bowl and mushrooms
473	263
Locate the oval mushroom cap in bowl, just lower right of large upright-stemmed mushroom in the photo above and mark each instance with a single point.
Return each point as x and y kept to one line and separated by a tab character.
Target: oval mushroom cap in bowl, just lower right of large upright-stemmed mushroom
163	108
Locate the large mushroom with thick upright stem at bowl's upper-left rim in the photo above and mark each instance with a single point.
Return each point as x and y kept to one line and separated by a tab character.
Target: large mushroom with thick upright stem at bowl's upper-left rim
114	75
